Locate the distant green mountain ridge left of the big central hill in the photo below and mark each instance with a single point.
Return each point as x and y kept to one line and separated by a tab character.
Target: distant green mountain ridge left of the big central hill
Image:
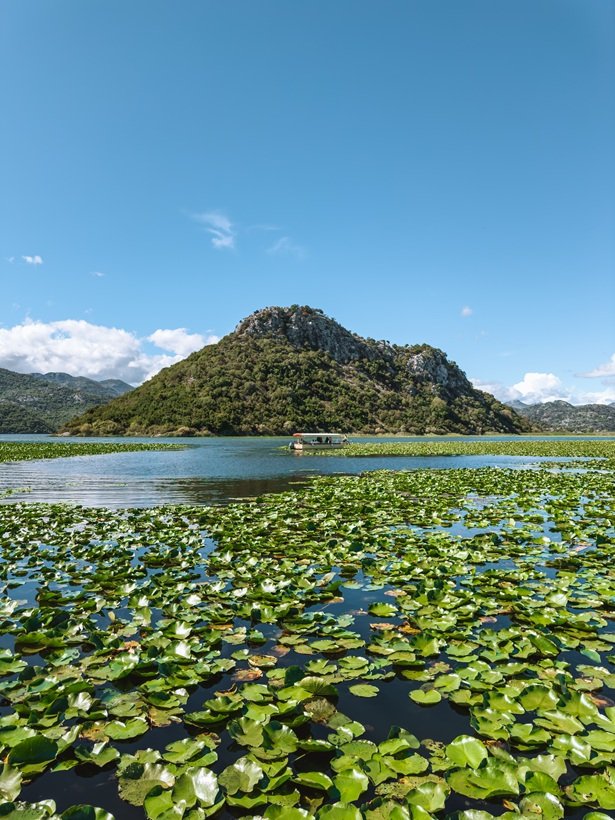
43	402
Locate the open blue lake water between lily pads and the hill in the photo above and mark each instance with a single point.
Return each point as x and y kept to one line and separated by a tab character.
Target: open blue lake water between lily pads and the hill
209	470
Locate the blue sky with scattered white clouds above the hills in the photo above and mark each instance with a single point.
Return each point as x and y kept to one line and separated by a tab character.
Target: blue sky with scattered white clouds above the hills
423	171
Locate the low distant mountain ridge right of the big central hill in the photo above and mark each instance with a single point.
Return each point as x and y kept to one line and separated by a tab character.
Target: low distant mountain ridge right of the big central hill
562	417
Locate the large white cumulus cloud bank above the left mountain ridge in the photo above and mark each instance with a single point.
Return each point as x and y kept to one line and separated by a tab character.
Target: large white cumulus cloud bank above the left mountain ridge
81	348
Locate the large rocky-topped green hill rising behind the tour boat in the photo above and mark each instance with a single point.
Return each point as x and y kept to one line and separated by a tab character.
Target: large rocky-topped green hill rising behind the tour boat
288	369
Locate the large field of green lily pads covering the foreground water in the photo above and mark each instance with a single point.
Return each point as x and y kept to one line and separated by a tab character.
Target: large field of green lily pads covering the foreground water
396	644
